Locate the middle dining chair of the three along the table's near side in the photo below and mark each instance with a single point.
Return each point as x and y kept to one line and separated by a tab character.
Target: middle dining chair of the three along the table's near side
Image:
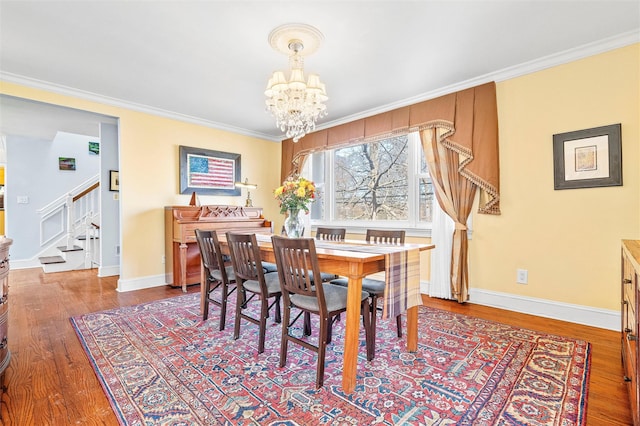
251	278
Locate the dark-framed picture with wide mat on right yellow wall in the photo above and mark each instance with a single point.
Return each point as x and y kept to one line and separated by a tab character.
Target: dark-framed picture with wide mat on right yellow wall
588	158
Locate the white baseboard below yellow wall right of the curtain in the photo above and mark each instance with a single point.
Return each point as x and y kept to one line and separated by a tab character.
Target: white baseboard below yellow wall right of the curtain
585	315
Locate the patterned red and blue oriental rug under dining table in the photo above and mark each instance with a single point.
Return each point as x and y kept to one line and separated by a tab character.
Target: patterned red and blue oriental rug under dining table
159	363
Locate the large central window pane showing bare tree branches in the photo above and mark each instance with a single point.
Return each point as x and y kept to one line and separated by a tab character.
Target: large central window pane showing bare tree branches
371	181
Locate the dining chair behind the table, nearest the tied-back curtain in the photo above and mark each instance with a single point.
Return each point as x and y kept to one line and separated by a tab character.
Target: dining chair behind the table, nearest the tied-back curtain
373	286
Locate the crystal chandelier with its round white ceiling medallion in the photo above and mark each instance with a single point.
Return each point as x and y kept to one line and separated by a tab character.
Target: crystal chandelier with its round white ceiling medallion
295	103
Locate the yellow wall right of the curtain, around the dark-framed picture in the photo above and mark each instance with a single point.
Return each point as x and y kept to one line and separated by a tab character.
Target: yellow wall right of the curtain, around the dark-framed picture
568	240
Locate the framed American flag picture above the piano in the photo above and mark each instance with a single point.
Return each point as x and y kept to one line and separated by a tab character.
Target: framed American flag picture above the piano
208	172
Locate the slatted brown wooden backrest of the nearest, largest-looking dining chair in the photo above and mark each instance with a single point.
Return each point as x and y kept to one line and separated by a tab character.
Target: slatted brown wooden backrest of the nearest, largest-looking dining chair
294	257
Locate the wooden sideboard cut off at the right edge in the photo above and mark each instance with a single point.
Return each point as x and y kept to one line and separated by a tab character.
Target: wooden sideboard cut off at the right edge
630	322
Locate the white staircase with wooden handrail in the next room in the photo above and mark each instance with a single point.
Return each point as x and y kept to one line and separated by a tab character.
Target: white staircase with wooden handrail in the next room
69	233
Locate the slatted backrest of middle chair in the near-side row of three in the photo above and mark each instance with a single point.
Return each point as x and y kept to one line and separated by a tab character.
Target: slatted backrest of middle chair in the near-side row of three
245	257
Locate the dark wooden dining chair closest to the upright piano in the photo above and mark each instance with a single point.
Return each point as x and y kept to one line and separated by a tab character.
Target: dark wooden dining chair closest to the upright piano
218	274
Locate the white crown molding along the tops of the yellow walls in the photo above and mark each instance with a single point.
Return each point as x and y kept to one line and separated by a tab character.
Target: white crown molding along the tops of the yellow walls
540	64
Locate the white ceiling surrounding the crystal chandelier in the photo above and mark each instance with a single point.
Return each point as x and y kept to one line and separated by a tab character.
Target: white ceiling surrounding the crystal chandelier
208	61
